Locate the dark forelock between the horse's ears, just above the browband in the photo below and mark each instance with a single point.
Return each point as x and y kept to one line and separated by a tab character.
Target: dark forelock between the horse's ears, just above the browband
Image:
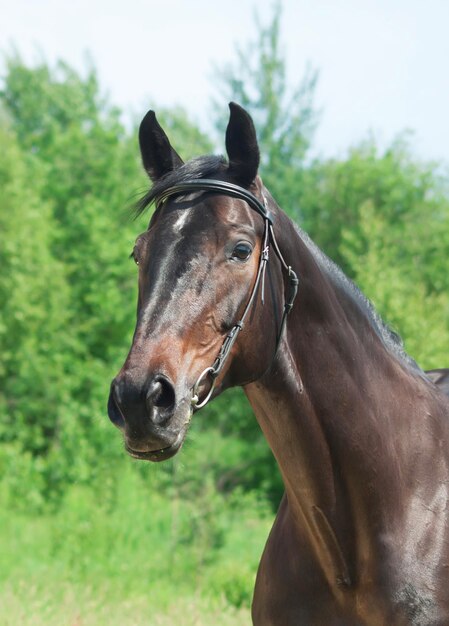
201	167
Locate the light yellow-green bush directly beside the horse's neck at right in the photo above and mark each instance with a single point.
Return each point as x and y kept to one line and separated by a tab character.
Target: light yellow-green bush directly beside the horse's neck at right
383	267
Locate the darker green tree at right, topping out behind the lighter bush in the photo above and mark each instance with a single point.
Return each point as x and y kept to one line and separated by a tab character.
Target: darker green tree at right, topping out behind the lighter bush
410	195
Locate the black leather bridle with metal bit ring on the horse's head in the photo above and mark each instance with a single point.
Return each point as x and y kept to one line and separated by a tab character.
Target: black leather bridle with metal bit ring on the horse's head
235	191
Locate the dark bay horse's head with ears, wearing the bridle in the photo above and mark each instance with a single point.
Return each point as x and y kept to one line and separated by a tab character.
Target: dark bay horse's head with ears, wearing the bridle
202	279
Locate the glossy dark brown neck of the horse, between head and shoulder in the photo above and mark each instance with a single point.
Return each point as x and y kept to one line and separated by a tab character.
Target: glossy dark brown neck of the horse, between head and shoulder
326	409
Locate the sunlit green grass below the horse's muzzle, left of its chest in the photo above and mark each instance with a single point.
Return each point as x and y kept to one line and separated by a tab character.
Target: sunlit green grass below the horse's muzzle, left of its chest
129	552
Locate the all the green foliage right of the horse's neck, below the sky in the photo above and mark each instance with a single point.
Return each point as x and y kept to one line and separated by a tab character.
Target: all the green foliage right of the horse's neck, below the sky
384	217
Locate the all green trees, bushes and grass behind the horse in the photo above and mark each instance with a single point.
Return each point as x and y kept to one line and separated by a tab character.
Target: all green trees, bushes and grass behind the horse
88	536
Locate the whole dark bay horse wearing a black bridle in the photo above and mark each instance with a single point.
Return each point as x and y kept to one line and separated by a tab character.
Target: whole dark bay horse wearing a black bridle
360	433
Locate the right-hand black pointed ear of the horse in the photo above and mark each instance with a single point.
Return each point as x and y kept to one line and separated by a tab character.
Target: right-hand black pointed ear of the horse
241	145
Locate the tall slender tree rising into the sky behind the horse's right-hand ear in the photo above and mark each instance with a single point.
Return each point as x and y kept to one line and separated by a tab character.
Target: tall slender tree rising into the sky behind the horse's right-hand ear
285	118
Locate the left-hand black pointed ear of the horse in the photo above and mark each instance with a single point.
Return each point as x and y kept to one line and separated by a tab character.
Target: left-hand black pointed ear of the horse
158	156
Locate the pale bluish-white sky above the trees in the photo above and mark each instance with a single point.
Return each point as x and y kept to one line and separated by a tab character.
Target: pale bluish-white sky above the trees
383	64
